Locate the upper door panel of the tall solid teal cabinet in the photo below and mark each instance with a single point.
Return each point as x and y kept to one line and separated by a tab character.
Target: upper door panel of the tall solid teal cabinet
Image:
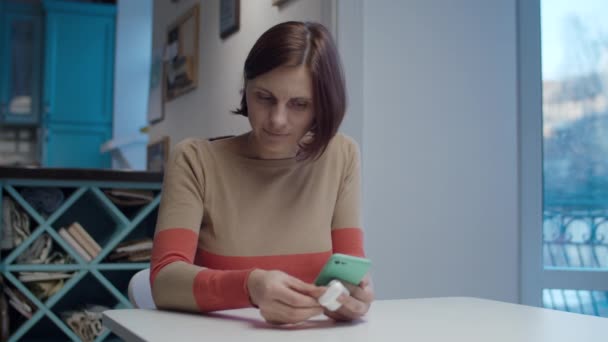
79	63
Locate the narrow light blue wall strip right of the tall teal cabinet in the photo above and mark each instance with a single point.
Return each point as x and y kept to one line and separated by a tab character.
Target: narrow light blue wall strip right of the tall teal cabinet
132	78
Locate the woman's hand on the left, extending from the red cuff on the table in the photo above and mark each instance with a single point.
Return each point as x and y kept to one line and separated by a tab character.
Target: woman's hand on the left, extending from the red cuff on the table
282	298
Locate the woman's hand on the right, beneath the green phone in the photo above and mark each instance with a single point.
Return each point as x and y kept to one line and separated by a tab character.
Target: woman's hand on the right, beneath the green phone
357	304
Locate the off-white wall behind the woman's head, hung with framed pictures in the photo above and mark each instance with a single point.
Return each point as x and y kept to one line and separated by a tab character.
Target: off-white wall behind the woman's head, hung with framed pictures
205	111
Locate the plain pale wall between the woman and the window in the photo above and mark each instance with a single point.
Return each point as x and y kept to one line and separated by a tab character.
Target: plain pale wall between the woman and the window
440	147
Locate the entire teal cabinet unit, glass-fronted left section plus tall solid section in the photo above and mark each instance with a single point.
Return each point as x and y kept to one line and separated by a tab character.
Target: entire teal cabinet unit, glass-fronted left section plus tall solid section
57	73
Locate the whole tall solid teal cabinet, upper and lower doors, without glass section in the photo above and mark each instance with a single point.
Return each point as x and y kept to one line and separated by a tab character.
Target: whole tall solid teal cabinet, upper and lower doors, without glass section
78	83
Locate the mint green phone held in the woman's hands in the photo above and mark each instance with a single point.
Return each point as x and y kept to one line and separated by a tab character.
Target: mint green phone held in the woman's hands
343	267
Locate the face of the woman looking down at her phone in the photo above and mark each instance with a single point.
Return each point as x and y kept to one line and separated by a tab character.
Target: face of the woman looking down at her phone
280	111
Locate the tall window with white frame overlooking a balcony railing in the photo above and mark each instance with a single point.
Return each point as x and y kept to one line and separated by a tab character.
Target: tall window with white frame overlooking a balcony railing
570	250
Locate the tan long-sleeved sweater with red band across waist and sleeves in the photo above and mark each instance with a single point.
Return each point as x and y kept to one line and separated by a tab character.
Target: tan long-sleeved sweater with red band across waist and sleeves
223	214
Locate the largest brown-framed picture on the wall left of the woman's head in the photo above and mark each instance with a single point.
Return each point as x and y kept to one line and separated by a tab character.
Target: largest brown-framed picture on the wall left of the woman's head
180	72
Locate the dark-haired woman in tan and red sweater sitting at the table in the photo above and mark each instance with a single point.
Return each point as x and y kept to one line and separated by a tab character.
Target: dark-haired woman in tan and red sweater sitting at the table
251	220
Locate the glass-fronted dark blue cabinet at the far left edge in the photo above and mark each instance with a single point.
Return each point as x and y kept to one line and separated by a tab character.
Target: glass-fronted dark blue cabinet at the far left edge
20	63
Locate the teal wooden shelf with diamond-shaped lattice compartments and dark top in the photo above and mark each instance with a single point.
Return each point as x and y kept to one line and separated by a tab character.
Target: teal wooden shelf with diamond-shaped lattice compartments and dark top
97	282
